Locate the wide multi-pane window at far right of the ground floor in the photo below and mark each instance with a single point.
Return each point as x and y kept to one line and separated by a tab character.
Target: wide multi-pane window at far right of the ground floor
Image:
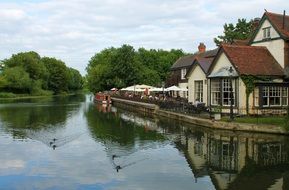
274	96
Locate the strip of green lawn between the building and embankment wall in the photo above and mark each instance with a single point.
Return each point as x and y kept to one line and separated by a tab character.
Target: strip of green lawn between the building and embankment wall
265	120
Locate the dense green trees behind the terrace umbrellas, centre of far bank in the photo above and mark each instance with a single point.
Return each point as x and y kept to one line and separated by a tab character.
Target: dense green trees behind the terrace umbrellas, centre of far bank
120	67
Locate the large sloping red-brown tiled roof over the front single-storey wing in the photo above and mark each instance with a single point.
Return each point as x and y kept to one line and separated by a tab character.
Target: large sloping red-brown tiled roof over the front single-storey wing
253	60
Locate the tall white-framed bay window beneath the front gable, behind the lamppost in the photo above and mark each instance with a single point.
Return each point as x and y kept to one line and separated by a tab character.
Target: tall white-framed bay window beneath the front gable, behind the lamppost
220	92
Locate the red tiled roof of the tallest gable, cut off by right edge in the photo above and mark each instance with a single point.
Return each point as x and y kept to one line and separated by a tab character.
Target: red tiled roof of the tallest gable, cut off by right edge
277	21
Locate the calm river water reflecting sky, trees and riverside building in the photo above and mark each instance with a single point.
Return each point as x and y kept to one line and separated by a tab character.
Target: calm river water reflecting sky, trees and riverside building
72	143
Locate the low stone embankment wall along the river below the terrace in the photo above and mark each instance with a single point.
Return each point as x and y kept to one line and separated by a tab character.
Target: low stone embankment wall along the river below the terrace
233	126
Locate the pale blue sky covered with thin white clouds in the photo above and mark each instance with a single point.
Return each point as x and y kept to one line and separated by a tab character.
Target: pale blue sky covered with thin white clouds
74	30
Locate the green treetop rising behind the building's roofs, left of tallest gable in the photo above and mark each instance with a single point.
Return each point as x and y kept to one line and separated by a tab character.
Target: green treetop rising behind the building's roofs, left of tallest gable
241	31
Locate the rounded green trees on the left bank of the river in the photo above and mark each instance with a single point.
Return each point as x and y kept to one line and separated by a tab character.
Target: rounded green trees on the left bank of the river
30	74
